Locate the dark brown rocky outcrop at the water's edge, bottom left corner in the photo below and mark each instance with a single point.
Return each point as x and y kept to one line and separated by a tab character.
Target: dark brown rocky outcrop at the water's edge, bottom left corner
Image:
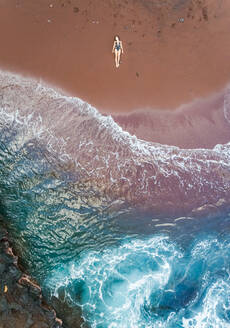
21	301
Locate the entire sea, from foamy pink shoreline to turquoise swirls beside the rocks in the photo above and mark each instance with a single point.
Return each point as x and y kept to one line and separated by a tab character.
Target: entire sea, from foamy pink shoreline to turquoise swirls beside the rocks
128	232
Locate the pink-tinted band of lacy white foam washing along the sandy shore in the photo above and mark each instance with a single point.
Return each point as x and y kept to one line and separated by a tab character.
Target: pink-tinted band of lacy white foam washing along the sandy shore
105	154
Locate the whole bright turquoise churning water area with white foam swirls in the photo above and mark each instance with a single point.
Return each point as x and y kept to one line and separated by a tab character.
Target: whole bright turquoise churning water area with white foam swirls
151	282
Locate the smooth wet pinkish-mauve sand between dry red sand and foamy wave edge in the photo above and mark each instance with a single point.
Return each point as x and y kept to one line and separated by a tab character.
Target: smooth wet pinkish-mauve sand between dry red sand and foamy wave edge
200	124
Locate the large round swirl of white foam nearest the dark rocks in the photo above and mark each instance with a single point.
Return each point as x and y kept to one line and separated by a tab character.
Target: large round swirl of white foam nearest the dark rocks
117	281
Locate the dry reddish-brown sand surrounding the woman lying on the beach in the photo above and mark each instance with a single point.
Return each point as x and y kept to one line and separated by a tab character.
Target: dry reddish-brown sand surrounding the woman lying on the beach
174	50
